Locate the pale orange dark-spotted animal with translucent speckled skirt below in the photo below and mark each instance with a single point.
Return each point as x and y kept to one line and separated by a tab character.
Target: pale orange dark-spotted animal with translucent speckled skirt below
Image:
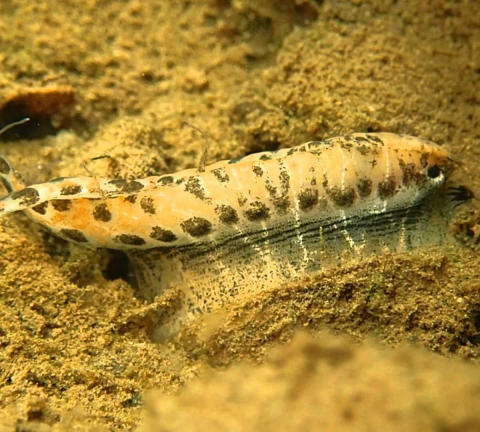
257	222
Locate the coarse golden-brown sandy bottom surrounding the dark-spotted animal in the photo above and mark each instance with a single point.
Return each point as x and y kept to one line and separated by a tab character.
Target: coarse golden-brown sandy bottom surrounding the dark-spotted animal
386	343
